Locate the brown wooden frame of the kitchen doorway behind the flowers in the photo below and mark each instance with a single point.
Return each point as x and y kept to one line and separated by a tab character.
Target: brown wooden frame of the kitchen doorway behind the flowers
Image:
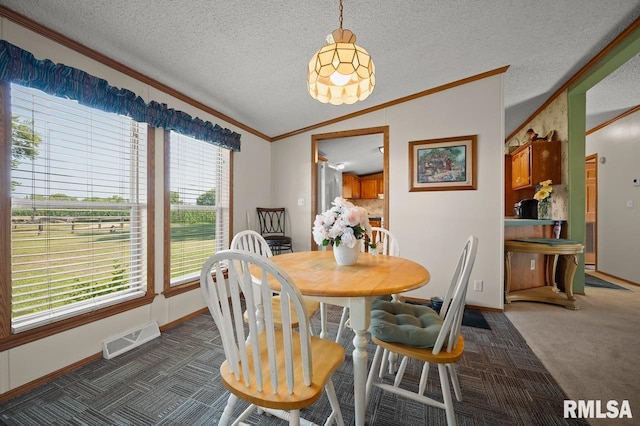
349	145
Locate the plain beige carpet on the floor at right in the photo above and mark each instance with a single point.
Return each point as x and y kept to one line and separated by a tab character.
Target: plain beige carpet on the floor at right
593	353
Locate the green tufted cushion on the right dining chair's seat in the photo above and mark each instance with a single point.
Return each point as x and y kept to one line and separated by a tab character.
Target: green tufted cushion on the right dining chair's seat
411	325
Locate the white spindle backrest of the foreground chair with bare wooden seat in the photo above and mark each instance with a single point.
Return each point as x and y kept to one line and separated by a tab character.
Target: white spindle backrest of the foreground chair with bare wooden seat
226	306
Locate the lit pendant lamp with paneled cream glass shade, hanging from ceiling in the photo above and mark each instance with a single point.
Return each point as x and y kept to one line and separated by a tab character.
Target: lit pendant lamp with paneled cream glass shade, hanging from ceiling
341	72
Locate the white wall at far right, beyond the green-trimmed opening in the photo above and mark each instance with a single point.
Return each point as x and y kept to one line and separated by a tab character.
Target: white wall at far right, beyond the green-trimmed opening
618	225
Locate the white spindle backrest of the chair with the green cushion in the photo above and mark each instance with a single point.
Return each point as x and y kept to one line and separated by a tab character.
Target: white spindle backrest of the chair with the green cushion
455	300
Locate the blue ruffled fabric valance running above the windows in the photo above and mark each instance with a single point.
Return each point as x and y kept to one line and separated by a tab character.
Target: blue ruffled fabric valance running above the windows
21	67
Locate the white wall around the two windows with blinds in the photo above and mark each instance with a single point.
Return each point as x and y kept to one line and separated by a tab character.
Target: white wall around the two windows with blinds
252	186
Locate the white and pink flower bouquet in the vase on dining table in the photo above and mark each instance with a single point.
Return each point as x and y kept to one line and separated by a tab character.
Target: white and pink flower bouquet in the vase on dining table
344	223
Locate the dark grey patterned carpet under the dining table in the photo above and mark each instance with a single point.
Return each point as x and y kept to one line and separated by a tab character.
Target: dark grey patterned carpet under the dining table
172	380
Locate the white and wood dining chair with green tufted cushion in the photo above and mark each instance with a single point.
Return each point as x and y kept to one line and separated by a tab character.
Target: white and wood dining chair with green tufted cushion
436	340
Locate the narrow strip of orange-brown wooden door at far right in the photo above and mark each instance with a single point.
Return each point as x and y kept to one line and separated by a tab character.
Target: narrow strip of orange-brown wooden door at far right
591	211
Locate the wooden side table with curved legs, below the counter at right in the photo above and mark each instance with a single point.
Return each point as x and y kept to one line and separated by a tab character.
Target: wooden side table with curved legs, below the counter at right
549	293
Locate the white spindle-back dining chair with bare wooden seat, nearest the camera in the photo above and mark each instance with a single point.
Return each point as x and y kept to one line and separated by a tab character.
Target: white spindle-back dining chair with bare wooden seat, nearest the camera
276	369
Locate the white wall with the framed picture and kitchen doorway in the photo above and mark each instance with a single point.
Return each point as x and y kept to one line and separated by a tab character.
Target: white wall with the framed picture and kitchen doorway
431	226
